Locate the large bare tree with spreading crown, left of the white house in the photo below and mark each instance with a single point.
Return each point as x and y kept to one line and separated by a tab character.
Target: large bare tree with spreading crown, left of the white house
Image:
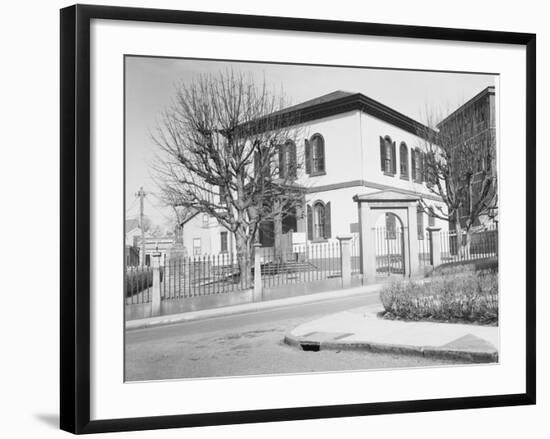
220	153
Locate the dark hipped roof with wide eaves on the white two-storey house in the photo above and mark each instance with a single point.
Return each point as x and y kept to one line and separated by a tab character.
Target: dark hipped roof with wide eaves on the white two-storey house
339	101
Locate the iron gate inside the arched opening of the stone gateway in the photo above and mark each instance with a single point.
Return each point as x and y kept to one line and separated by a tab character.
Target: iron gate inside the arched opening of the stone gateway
390	247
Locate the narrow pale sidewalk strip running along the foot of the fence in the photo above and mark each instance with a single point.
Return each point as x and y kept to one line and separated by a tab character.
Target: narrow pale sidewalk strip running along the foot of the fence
250	307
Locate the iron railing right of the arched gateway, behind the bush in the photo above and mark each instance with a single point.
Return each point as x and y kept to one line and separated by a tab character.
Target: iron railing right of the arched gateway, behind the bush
483	244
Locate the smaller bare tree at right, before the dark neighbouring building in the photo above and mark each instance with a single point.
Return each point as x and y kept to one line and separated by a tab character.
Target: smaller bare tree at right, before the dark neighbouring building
459	166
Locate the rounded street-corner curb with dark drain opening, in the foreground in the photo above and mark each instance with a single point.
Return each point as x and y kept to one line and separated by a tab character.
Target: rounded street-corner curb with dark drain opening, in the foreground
422	351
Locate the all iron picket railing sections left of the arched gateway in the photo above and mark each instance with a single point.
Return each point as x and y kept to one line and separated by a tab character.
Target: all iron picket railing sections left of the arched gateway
219	274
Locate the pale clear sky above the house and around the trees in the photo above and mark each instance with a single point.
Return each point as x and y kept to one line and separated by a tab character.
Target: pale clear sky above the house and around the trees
151	83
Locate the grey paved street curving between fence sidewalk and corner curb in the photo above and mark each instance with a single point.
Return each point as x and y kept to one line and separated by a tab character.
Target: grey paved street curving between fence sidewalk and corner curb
248	344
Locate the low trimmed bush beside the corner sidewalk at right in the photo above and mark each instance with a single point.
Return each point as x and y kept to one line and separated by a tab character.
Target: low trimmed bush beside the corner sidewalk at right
457	296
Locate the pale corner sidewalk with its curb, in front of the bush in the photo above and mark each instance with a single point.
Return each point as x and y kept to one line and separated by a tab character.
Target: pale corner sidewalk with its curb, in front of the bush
362	329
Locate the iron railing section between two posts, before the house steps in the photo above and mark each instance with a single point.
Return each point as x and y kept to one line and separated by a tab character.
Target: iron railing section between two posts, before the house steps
306	263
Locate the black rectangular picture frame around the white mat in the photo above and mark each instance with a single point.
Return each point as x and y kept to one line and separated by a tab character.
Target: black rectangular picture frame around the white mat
75	217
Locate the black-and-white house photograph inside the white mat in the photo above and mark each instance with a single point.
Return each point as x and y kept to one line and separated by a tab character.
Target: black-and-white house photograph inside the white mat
296	218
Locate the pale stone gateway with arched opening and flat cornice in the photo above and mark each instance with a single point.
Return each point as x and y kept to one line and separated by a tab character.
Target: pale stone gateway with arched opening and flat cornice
370	208
